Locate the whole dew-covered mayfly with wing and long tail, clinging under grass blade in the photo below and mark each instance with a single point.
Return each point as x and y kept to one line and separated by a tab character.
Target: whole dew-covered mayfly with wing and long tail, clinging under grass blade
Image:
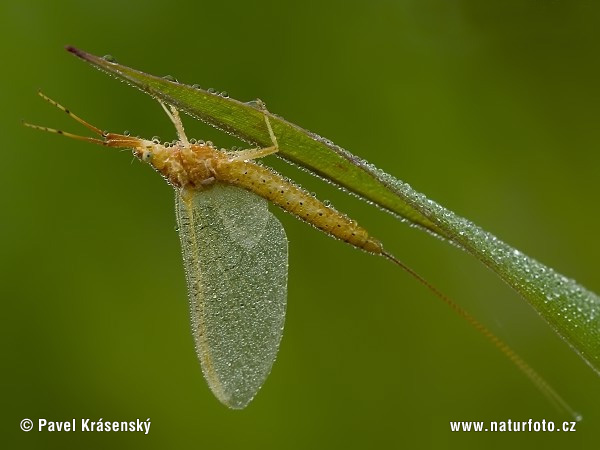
235	252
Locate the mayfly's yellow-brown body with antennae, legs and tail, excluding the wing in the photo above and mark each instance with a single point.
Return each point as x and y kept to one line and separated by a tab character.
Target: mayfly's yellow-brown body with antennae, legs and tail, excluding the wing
189	167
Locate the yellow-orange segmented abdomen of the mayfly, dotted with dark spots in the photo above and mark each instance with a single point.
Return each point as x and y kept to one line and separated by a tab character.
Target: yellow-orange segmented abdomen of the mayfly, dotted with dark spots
295	200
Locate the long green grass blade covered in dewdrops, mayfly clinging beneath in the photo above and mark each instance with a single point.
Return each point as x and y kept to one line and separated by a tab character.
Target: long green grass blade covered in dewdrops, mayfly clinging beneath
571	310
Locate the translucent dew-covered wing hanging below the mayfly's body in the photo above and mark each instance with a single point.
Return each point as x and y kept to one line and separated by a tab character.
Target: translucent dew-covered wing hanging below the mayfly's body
235	257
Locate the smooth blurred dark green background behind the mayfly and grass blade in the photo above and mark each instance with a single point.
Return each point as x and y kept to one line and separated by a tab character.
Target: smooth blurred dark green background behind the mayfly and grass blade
490	108
